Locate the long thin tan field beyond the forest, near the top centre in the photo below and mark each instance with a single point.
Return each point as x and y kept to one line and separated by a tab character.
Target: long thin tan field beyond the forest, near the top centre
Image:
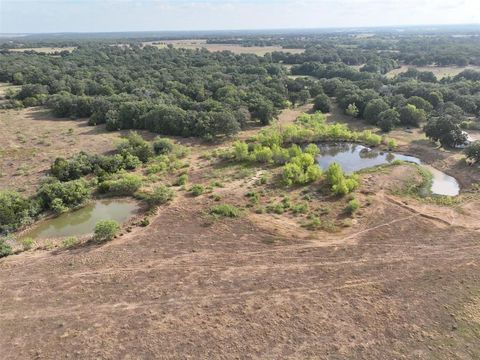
237	49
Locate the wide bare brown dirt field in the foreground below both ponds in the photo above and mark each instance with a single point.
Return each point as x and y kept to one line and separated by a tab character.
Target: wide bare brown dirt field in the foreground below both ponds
402	281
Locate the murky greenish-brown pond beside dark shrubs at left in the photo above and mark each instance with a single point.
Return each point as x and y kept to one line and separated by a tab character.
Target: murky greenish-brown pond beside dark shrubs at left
82	221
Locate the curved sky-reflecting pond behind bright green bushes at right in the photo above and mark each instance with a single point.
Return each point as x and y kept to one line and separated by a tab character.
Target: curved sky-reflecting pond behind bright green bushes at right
354	157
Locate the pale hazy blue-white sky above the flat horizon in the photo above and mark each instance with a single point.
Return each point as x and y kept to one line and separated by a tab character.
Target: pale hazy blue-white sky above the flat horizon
42	16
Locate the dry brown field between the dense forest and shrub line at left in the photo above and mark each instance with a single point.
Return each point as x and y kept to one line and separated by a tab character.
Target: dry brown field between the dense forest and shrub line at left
31	139
